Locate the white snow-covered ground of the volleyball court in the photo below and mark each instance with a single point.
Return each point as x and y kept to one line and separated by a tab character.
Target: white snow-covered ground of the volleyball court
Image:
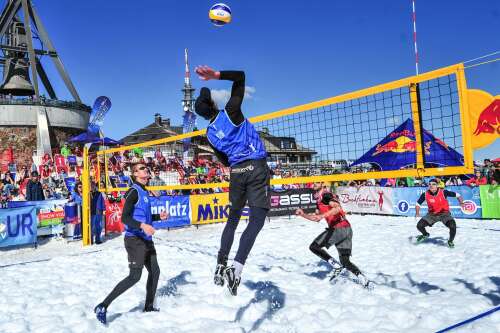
418	288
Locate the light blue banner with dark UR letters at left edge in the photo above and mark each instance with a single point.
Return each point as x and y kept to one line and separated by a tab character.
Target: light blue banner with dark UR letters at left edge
18	226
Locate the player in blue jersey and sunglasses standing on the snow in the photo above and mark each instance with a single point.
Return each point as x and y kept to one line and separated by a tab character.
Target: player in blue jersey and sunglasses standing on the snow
141	251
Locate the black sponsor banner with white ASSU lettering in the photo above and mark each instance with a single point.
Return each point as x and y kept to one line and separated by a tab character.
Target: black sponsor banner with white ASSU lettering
287	202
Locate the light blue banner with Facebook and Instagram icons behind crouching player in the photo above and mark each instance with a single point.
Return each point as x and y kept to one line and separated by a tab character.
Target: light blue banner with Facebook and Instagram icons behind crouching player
405	198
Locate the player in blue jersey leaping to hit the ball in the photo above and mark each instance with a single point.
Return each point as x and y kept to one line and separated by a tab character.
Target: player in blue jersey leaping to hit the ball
236	143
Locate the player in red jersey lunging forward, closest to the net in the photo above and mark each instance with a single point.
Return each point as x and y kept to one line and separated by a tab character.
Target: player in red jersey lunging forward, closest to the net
338	233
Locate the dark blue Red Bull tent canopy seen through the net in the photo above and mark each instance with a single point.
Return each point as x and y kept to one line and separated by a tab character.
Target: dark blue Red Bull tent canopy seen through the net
398	150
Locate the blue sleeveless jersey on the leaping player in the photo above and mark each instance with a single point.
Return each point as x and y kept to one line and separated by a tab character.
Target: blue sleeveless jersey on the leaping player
239	142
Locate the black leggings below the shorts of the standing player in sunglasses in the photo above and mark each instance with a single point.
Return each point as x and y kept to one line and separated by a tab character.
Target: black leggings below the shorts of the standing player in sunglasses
134	276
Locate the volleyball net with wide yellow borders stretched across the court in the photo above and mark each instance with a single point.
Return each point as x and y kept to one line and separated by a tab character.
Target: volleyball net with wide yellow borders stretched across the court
413	127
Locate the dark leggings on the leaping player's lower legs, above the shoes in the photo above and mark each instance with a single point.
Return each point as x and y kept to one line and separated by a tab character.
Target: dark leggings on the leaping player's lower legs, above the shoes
247	239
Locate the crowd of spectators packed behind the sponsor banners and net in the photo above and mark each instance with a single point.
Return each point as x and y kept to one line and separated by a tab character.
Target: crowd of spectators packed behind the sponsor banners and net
58	176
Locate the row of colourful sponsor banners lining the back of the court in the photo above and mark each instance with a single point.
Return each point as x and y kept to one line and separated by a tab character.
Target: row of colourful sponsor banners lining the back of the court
18	223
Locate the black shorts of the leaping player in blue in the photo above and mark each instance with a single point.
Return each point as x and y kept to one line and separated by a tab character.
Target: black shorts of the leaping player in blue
250	181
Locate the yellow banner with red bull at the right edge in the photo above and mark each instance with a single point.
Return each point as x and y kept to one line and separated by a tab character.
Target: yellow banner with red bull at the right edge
484	112
